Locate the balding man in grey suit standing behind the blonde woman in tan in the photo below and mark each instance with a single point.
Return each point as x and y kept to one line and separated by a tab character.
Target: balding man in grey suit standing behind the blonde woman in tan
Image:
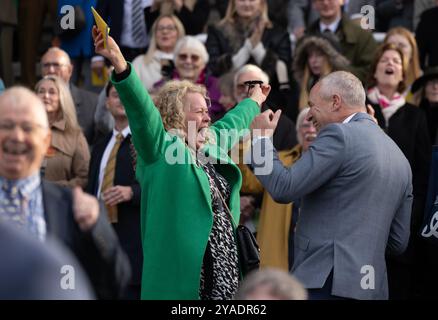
57	62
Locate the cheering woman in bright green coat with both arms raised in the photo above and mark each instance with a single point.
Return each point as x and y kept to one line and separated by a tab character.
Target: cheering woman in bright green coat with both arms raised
184	170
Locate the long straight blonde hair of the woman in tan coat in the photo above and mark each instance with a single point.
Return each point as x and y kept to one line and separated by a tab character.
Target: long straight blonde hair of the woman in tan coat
66	104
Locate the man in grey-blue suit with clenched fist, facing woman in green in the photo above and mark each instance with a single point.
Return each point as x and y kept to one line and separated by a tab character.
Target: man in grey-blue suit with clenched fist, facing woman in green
356	190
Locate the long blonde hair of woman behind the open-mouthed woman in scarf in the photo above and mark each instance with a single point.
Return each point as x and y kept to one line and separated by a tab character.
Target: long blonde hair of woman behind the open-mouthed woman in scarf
413	70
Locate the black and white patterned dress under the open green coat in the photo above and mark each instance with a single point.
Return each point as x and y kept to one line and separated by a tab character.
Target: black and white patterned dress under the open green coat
220	269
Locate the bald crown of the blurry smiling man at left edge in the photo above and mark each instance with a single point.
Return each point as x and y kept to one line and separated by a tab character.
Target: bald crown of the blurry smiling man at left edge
21	100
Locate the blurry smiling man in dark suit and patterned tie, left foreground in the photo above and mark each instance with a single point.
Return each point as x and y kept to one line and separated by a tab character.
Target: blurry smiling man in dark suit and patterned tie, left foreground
44	209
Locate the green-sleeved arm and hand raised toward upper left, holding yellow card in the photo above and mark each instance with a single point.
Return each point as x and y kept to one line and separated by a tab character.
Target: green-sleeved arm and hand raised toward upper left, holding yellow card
147	128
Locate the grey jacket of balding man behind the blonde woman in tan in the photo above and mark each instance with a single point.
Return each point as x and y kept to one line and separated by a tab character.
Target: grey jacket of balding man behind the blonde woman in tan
85	103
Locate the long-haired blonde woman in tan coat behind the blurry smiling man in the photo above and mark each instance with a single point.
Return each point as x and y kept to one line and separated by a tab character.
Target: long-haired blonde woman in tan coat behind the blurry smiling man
67	159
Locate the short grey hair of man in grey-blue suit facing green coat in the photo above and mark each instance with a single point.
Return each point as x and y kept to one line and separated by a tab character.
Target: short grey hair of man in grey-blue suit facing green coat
344	84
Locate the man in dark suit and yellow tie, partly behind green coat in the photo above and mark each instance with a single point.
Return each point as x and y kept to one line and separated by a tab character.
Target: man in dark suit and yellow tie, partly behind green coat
124	191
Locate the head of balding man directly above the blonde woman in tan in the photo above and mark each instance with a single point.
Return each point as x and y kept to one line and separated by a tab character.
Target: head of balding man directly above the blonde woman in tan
56	62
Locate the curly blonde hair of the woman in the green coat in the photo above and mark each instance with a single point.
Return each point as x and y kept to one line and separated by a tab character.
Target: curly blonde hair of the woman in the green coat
170	102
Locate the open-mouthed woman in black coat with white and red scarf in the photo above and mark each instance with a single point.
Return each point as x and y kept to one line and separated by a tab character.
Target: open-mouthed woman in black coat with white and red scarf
406	125
